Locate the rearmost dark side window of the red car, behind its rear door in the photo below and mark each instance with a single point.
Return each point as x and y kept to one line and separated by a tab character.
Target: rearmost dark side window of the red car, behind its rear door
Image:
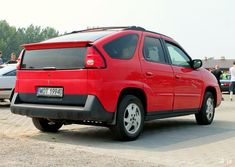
123	47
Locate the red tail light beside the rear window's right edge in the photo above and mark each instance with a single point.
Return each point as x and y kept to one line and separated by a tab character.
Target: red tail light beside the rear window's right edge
94	59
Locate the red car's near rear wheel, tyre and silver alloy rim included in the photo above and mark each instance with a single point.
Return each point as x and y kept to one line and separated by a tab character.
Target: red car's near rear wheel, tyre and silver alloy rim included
130	119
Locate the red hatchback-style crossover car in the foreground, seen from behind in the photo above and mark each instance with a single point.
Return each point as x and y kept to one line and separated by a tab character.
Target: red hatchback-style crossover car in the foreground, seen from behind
117	77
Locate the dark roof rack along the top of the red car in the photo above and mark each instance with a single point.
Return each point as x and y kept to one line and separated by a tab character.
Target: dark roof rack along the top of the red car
110	28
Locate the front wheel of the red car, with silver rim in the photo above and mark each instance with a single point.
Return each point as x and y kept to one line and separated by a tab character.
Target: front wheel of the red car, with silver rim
207	112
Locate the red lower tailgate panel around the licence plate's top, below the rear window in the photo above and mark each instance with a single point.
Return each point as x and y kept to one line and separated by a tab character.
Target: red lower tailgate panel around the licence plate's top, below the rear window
73	81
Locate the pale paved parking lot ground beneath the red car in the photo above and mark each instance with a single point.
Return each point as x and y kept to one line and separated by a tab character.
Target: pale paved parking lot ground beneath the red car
169	142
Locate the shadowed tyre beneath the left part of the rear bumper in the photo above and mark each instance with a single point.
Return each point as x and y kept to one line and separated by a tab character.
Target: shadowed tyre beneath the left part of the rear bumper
45	125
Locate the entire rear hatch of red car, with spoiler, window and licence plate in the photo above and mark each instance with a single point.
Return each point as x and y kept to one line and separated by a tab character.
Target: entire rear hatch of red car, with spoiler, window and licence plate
53	73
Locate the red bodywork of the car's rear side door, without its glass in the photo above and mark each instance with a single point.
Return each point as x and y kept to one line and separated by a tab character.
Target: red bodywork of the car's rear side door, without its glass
159	85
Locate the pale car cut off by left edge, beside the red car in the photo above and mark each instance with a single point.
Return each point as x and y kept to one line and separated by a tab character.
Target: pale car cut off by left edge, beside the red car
7	80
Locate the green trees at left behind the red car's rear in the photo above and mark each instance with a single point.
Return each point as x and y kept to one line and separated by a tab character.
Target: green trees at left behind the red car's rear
11	38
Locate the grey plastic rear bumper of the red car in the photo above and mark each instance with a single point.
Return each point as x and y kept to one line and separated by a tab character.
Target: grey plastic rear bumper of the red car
92	111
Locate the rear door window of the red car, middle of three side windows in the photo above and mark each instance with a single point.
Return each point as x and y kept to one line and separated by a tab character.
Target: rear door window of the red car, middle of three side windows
152	50
